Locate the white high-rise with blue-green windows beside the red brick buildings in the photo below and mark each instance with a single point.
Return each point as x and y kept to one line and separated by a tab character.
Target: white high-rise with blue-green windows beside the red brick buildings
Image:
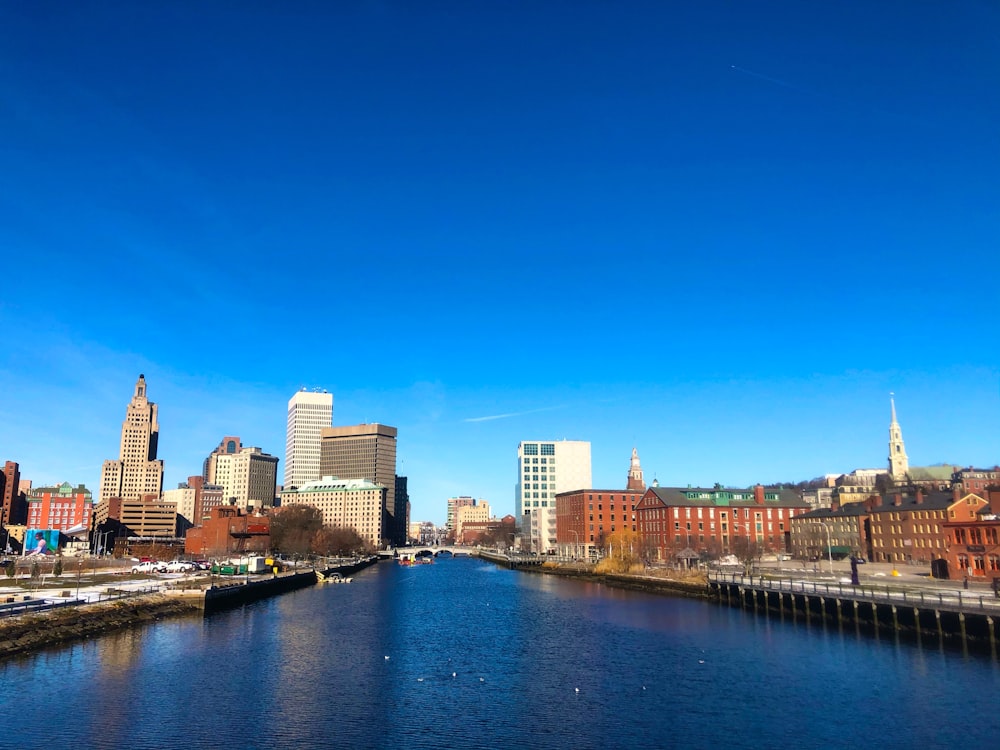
545	469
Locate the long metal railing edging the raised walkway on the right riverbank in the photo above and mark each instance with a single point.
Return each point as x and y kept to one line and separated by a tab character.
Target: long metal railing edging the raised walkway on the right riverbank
958	600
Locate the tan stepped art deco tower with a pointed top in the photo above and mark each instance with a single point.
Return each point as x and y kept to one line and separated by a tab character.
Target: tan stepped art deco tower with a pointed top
137	472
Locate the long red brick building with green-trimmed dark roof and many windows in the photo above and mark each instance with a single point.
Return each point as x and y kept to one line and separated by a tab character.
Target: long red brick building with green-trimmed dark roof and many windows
672	519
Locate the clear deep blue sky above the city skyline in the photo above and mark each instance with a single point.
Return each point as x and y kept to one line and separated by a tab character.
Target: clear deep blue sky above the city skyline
721	232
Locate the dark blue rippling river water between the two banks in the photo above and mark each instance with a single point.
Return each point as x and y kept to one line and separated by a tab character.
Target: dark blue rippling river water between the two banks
462	654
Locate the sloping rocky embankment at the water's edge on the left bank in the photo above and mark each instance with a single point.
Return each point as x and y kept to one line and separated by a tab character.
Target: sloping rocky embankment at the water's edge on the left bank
35	632
